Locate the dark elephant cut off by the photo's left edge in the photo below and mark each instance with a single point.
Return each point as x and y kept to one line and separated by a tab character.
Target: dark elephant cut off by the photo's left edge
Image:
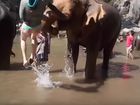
7	31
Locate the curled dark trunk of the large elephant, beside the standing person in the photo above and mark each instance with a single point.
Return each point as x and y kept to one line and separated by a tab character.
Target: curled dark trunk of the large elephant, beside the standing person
51	17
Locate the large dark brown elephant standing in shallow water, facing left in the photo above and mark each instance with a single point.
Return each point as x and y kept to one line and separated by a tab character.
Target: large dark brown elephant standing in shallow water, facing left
93	24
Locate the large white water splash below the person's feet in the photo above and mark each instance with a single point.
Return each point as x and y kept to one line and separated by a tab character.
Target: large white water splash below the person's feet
43	77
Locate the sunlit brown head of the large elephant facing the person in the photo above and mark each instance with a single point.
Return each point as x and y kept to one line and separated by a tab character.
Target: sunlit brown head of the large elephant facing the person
59	10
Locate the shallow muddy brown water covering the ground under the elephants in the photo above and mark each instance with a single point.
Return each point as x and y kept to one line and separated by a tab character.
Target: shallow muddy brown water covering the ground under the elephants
17	86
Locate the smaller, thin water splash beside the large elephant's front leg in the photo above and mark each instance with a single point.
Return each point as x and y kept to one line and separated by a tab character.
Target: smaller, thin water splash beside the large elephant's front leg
69	67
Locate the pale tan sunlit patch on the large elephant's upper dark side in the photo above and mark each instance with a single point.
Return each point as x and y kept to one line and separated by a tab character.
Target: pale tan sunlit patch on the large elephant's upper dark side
95	12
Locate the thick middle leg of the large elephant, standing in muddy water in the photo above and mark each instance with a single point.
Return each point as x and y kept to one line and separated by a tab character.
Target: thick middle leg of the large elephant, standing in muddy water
90	69
